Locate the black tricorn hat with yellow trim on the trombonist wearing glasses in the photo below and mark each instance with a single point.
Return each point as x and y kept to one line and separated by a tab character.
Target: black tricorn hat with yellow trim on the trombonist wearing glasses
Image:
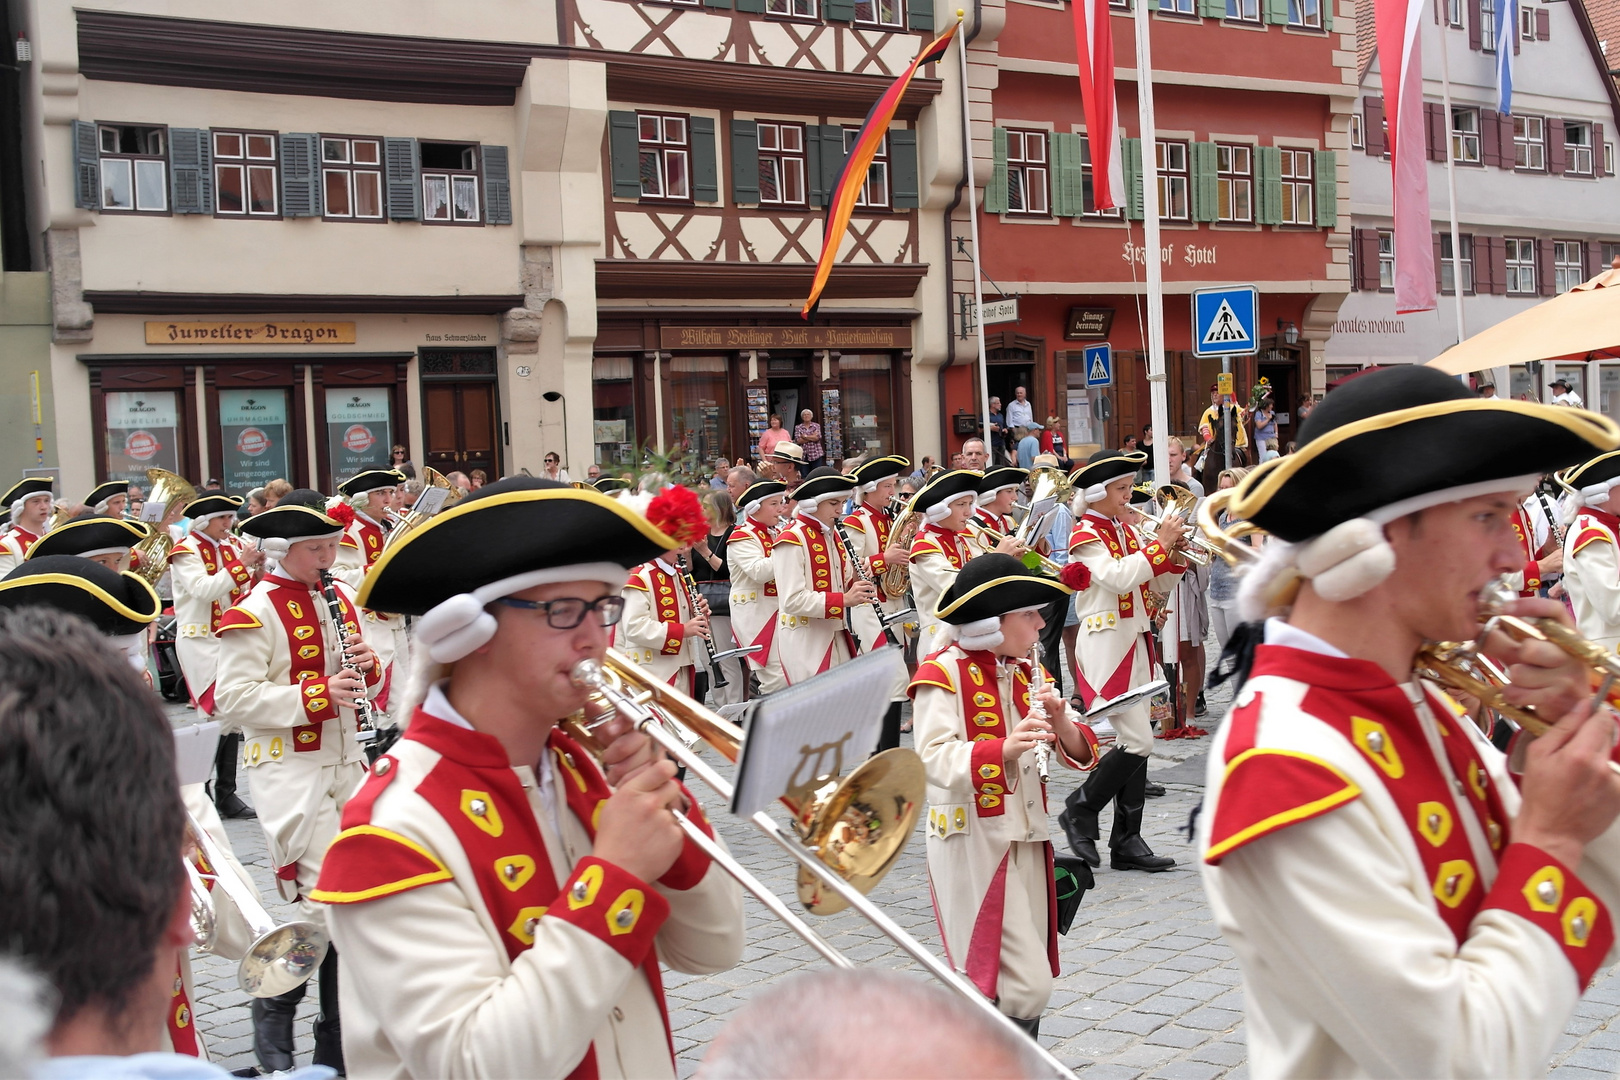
513	527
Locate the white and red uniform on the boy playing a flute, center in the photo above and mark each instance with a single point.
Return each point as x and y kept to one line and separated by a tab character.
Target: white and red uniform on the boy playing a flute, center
989	840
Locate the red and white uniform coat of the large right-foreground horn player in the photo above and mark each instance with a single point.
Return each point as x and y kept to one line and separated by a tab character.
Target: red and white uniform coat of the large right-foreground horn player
1358	854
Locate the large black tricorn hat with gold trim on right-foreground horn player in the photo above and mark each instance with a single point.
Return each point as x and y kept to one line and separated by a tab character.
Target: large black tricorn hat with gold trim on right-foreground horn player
1402	435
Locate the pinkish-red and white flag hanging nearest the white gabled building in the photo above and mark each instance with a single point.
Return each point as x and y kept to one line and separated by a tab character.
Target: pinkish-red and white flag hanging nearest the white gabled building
1400	61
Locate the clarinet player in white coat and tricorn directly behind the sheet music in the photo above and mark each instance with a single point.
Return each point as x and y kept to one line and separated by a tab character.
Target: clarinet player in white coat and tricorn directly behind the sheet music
816	582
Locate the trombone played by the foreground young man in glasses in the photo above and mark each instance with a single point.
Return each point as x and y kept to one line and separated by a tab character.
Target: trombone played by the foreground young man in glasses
848	835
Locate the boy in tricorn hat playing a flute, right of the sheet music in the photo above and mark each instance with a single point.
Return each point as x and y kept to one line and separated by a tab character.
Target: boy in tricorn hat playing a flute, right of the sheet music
989	856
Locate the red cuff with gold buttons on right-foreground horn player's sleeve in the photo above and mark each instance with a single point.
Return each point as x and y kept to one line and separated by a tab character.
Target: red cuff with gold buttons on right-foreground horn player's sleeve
1548	895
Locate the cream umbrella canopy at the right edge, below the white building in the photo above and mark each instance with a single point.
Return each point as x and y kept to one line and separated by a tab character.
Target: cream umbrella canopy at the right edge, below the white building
1582	321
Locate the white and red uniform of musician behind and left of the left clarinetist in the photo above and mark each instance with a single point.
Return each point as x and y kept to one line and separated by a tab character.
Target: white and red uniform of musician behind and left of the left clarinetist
208	579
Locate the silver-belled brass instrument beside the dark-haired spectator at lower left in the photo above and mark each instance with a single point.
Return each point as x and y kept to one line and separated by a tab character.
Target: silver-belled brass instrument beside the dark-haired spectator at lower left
281	958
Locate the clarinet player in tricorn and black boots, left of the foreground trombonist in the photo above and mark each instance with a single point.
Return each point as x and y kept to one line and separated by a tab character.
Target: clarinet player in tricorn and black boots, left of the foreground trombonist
291	679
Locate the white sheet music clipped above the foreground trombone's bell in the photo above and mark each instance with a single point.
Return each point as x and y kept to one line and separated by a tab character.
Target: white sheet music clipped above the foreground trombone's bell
832	721
